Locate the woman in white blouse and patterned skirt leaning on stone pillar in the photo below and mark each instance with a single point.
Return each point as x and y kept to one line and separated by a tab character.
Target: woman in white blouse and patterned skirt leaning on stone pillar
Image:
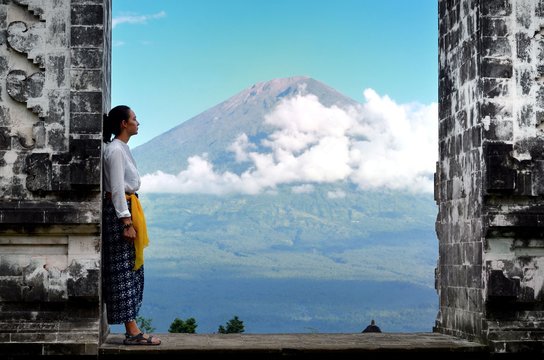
124	230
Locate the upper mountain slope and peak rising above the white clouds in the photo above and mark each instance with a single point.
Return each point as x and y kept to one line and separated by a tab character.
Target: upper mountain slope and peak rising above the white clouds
212	131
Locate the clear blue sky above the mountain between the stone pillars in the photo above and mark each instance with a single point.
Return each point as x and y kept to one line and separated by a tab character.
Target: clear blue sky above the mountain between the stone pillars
173	59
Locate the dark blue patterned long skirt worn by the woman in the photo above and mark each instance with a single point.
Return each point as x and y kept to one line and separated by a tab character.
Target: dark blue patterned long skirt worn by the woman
121	286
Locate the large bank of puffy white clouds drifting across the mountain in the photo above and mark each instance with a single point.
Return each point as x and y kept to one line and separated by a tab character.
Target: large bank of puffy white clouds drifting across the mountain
380	144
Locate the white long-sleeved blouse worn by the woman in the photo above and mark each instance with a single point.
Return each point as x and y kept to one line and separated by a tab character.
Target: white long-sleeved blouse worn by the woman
120	175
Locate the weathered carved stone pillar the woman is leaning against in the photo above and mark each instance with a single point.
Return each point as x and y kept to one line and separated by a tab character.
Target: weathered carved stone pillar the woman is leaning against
54	88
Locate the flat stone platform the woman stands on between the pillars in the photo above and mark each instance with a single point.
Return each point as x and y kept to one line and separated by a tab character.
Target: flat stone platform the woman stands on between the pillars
297	346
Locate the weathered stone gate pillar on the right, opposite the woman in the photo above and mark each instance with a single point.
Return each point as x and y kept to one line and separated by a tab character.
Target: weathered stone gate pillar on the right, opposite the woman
490	174
